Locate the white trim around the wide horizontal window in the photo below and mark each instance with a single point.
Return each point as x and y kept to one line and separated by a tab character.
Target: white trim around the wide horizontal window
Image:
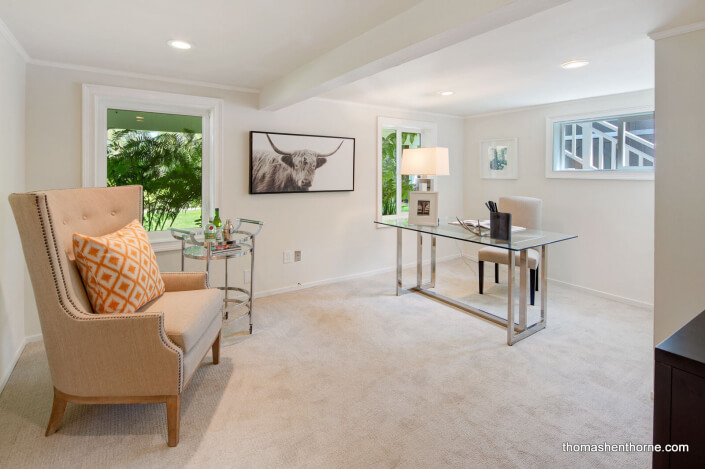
597	174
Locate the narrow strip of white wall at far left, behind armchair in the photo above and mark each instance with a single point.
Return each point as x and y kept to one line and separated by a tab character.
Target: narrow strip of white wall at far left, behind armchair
12	136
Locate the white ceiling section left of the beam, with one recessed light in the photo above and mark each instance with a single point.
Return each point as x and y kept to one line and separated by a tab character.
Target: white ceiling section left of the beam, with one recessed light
245	43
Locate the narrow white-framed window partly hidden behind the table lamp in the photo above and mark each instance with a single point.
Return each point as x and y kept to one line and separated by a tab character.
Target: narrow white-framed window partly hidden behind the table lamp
393	188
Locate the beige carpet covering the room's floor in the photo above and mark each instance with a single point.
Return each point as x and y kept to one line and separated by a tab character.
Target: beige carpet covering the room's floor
348	375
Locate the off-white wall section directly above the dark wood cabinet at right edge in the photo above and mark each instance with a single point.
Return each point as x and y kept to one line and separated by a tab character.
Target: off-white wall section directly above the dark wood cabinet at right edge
680	197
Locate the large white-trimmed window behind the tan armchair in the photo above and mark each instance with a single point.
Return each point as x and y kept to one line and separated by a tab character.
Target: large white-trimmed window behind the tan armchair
168	143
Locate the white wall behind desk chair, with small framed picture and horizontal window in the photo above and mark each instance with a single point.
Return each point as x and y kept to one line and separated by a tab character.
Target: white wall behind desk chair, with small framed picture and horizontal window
613	219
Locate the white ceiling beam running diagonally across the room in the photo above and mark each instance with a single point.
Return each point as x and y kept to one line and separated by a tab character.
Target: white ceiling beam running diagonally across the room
427	27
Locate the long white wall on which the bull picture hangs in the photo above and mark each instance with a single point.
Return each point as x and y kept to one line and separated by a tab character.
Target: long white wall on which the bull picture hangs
335	231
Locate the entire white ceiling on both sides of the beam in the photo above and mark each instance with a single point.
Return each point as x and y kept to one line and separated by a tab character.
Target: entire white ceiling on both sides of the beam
252	44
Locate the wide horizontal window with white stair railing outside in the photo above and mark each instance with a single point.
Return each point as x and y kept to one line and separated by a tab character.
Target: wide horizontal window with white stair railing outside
616	145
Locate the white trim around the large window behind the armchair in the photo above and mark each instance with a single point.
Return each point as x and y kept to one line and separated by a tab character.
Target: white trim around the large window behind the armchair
97	99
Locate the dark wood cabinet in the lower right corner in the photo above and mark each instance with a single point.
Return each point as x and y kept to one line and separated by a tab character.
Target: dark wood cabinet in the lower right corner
679	396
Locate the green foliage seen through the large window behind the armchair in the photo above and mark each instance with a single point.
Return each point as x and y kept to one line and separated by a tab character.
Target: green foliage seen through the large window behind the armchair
167	165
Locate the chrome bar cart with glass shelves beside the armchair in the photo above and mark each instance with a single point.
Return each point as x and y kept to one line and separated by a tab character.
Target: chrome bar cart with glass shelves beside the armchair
242	243
